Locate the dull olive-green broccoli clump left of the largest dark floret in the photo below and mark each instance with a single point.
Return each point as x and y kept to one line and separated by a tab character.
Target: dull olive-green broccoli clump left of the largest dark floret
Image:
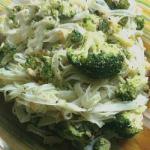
39	67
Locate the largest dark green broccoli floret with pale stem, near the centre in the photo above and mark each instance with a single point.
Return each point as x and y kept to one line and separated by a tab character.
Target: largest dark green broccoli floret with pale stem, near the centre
97	60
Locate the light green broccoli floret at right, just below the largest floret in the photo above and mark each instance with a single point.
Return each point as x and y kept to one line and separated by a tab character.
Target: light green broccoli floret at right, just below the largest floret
128	89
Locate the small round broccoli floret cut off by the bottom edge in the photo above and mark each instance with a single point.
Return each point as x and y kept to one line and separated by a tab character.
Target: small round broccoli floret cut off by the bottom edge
102	144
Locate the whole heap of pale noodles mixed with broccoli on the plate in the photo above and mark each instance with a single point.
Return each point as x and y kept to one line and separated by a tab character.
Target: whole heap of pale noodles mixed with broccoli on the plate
75	70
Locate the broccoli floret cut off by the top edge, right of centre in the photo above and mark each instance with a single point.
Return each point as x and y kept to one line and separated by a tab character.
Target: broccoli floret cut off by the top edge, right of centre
118	4
